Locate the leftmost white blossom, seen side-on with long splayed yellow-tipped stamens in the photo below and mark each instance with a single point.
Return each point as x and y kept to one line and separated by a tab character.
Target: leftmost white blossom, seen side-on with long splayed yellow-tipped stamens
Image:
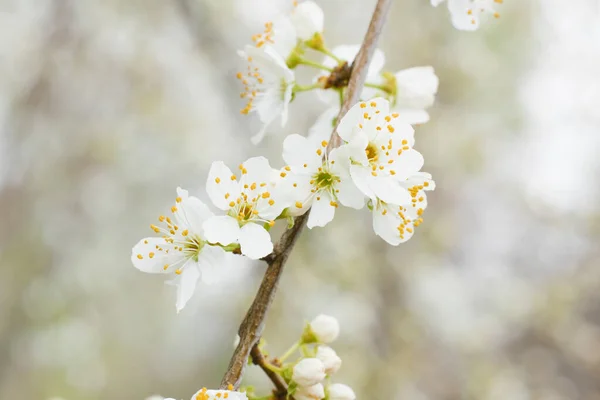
182	248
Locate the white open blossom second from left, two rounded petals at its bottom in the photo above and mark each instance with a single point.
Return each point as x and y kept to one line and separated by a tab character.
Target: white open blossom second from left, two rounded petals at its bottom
250	202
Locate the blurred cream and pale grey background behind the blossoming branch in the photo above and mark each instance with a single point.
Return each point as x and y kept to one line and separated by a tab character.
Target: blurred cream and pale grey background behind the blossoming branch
107	106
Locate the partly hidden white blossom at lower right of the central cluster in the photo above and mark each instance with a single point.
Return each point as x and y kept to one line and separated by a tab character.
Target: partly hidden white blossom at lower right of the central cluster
396	223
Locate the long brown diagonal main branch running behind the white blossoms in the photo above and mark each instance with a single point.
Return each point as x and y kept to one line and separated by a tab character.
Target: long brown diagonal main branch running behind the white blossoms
253	323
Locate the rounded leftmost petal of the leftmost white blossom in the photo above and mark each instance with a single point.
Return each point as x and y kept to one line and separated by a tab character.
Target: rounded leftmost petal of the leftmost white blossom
155	264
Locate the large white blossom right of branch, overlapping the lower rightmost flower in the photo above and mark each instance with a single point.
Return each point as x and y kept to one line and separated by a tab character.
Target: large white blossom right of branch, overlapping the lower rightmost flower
380	147
